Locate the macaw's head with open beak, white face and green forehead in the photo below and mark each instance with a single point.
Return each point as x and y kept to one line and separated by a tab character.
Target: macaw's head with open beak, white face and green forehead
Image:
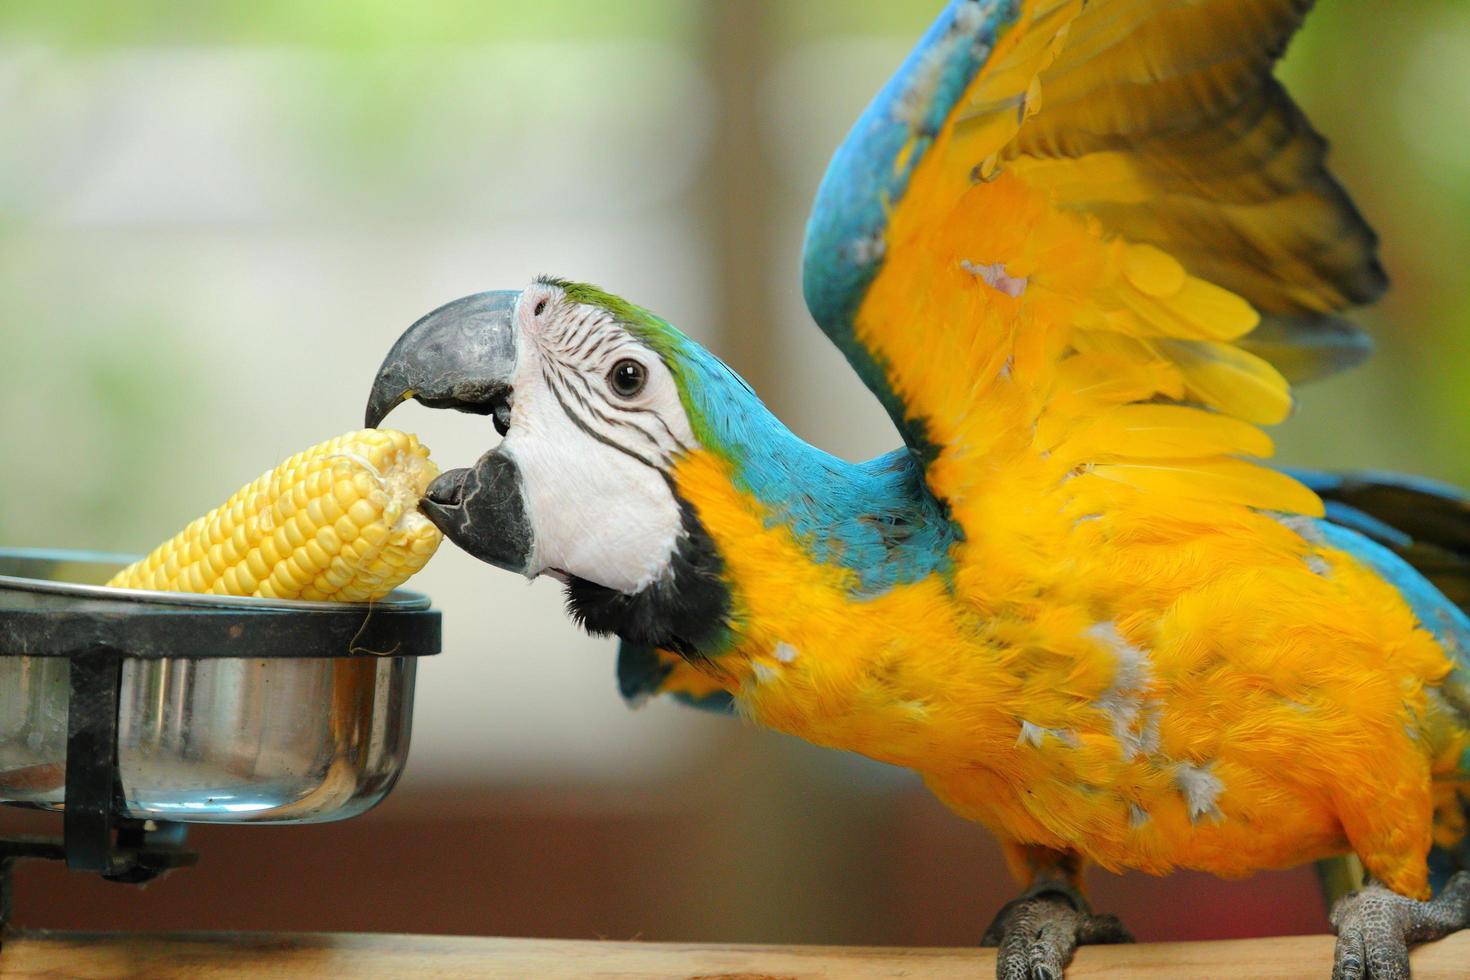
596	400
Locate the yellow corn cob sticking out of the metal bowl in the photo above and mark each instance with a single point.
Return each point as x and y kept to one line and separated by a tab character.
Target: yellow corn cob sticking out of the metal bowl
337	522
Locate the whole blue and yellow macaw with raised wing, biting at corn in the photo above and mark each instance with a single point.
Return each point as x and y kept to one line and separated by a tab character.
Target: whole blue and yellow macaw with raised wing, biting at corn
1078	251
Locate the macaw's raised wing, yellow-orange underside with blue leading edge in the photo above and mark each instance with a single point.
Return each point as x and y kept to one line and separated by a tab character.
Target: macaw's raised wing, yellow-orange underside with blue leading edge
1097	236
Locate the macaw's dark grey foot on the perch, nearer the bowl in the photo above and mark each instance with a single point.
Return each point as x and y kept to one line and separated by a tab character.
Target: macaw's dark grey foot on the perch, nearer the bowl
1039	932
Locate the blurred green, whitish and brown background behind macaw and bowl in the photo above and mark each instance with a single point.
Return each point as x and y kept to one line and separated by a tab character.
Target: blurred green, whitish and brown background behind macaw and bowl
215	218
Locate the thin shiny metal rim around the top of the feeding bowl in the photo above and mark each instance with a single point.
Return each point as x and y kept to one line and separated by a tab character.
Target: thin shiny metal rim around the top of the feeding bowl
396	602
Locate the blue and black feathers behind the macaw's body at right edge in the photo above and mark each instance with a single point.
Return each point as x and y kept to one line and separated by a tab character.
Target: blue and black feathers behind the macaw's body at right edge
1427	527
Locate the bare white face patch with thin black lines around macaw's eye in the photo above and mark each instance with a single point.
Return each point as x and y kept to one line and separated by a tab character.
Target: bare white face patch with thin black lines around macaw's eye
592	461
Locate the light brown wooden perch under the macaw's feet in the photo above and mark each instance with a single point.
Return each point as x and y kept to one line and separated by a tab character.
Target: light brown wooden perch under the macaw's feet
306	956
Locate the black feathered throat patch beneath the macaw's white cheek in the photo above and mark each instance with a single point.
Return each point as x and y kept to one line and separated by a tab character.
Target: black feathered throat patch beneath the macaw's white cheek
687	610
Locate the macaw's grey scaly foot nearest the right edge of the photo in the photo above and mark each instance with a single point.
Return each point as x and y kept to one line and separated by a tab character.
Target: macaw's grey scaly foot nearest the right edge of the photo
1377	928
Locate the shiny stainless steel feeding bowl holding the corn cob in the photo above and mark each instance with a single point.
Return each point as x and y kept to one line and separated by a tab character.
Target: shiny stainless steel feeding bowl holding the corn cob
208	740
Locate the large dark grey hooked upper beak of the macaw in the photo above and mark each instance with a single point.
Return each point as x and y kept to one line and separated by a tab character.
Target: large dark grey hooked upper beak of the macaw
461	356
